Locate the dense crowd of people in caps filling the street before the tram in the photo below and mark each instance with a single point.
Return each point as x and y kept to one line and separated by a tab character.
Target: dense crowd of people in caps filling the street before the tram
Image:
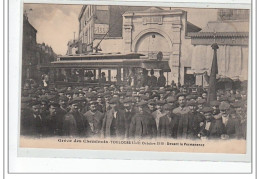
133	112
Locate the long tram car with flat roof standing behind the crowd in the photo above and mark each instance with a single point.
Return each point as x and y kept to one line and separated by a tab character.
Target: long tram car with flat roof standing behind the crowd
100	69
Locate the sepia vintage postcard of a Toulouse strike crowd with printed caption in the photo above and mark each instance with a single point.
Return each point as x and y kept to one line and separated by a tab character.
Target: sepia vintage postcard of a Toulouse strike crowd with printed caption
135	78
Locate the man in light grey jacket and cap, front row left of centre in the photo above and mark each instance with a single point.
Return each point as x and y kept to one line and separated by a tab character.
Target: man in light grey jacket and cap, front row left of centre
94	118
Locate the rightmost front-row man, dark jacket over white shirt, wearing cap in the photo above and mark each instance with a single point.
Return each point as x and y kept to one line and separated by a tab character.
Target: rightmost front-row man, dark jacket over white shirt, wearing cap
230	126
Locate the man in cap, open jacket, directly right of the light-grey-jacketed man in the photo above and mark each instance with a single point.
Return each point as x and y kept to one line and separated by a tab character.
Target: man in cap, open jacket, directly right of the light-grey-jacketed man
113	124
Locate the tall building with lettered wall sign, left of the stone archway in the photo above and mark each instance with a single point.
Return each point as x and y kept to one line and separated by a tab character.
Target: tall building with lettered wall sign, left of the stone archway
97	22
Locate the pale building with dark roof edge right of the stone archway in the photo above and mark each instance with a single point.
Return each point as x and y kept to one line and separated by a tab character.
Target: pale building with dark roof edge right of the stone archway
231	32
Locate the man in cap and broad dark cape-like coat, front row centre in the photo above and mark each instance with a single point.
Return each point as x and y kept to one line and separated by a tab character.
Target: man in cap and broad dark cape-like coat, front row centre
143	124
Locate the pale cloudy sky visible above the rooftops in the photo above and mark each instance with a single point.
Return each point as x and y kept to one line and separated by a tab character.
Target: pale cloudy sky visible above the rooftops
56	24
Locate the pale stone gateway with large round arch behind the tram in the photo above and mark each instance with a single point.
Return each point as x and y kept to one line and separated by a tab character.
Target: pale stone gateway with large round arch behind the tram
160	30
